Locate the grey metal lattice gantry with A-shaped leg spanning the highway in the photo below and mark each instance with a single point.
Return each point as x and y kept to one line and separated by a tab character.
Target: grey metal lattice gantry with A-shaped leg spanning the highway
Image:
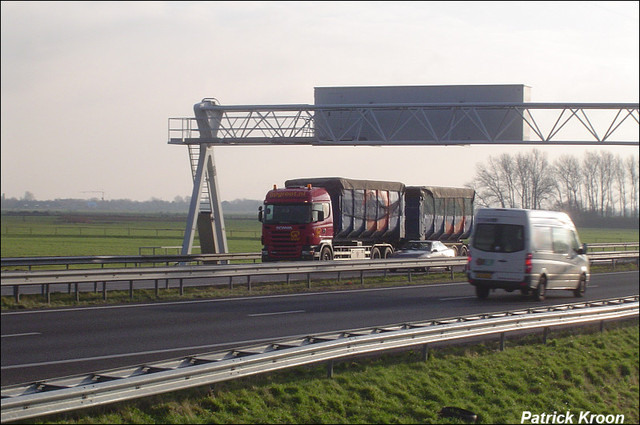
441	124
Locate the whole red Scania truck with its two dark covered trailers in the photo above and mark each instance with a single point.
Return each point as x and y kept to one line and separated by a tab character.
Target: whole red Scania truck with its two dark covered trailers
339	218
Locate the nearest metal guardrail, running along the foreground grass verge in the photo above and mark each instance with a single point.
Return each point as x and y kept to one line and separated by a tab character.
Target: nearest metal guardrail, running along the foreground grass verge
60	395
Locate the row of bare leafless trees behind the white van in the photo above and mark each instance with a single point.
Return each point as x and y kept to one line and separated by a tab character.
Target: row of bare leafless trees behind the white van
598	183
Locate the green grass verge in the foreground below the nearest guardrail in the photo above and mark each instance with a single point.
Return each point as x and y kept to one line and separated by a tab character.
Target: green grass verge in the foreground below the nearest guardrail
575	371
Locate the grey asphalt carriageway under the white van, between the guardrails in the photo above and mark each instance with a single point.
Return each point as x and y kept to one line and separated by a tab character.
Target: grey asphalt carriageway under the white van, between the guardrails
44	344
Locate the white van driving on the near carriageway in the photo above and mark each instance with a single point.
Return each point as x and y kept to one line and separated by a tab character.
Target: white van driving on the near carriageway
526	250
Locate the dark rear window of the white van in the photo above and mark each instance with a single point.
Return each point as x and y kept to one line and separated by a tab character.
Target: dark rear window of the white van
496	237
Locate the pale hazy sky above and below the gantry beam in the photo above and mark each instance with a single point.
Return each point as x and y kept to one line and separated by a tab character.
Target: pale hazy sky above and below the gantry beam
88	87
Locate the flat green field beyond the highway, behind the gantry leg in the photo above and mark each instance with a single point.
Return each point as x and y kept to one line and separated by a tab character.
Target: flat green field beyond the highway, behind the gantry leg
84	235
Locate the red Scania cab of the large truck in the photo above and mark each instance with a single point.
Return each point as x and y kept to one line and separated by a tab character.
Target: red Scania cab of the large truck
296	223
